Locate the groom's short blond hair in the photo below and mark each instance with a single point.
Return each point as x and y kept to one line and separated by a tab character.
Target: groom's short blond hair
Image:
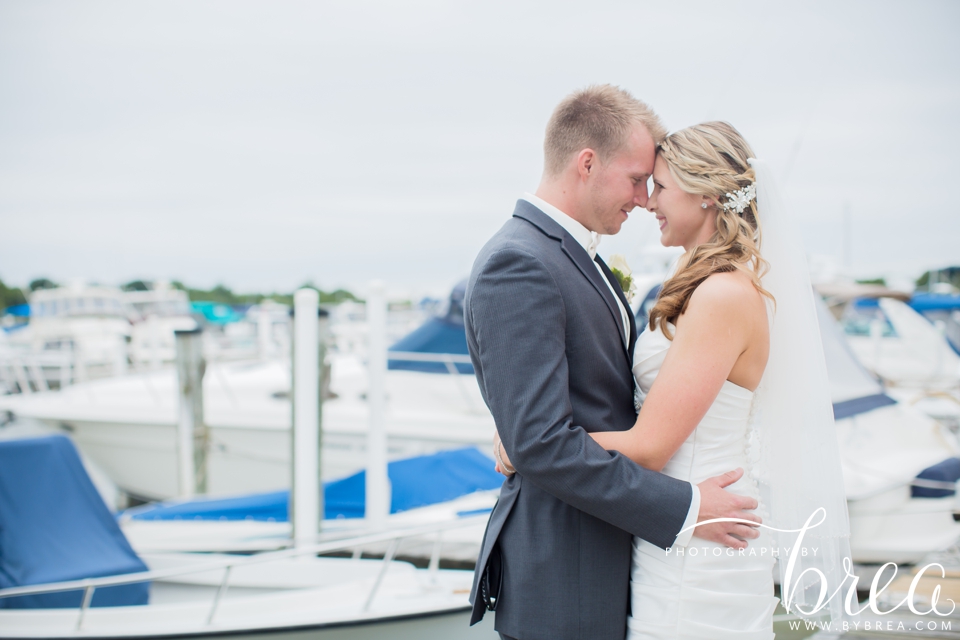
599	117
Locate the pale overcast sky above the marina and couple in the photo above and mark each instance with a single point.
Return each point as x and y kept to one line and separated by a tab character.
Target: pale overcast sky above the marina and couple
264	144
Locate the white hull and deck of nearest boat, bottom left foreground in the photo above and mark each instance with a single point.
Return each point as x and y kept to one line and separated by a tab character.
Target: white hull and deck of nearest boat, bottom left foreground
321	598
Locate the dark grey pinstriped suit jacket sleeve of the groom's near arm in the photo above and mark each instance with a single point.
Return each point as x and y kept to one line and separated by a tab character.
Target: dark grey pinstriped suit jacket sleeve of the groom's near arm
517	330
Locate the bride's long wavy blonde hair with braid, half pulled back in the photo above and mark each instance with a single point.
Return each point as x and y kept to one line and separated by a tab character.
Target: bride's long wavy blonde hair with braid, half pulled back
710	159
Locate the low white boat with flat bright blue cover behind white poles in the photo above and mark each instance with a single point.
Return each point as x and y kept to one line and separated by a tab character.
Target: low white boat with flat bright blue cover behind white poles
436	488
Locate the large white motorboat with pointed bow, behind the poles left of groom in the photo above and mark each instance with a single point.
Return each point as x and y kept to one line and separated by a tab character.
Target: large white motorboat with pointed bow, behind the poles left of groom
127	424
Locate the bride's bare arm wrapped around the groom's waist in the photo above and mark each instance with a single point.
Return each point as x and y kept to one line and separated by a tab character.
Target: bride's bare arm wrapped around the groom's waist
710	337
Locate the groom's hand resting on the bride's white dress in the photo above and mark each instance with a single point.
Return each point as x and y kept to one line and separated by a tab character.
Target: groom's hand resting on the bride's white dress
716	502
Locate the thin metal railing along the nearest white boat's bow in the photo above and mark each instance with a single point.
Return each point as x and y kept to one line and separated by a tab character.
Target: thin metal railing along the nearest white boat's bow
353	544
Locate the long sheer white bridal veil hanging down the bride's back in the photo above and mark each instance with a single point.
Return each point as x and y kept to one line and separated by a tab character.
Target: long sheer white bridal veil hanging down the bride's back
794	453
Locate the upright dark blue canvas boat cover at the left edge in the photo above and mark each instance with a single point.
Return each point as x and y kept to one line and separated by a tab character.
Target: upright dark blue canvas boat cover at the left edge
55	527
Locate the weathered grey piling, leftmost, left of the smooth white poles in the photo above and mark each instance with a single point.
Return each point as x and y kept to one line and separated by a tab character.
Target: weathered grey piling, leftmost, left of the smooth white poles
192	435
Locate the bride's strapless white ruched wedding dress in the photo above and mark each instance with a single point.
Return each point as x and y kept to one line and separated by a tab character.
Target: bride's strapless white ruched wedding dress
703	591
